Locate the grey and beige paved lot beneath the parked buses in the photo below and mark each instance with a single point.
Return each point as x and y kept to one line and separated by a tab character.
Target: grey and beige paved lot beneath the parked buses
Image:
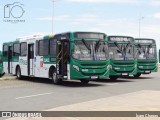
40	94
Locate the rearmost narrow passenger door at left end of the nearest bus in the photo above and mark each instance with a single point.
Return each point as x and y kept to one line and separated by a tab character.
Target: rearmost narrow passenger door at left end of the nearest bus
10	59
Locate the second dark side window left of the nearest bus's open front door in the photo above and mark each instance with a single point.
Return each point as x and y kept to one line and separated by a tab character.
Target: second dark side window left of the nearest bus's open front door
43	47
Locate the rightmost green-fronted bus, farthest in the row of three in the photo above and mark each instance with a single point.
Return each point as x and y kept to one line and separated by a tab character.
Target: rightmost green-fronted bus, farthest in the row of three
146	54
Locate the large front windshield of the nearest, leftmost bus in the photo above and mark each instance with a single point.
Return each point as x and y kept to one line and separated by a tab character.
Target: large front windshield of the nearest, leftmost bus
90	50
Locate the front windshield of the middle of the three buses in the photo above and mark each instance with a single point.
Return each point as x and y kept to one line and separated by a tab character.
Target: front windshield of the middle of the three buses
121	51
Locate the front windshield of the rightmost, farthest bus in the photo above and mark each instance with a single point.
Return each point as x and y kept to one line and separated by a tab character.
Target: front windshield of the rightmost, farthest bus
146	52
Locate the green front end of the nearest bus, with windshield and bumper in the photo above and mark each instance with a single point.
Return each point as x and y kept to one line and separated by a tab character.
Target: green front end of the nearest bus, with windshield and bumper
87	55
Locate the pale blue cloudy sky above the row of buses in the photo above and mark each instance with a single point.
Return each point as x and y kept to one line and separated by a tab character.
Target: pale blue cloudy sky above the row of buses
113	17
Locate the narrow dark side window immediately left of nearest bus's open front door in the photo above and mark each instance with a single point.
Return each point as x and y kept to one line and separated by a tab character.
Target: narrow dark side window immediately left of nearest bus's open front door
53	44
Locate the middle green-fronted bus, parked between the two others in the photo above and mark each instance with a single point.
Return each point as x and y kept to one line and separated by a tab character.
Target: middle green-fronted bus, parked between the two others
122	59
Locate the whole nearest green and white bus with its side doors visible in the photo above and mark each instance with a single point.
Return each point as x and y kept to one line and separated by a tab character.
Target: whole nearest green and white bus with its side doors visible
71	55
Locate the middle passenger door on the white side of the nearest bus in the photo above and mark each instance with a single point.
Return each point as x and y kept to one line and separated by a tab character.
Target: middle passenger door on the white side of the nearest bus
30	59
